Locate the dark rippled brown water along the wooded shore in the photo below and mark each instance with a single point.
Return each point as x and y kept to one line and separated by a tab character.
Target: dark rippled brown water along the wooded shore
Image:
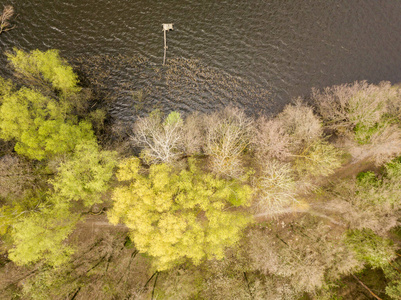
256	54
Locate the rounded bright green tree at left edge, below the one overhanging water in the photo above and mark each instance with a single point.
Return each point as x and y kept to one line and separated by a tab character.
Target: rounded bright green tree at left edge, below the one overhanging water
38	125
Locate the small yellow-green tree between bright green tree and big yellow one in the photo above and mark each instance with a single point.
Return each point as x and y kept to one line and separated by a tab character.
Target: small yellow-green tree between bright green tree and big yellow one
86	174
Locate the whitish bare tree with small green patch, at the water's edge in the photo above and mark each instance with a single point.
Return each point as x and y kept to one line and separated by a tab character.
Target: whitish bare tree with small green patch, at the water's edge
161	140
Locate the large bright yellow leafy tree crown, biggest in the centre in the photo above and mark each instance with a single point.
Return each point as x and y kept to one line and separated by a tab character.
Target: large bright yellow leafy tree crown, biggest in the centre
175	216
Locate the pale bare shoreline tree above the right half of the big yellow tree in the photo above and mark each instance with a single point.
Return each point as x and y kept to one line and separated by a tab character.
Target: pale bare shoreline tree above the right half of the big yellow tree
228	134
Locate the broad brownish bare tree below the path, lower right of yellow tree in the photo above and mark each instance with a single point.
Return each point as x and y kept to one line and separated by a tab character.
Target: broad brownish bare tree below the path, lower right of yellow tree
307	253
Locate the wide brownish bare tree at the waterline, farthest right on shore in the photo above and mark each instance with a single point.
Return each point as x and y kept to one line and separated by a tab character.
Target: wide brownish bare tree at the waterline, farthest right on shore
365	116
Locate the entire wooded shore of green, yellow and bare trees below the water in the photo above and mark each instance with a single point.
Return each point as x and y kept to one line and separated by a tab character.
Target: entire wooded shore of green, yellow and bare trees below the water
222	205
